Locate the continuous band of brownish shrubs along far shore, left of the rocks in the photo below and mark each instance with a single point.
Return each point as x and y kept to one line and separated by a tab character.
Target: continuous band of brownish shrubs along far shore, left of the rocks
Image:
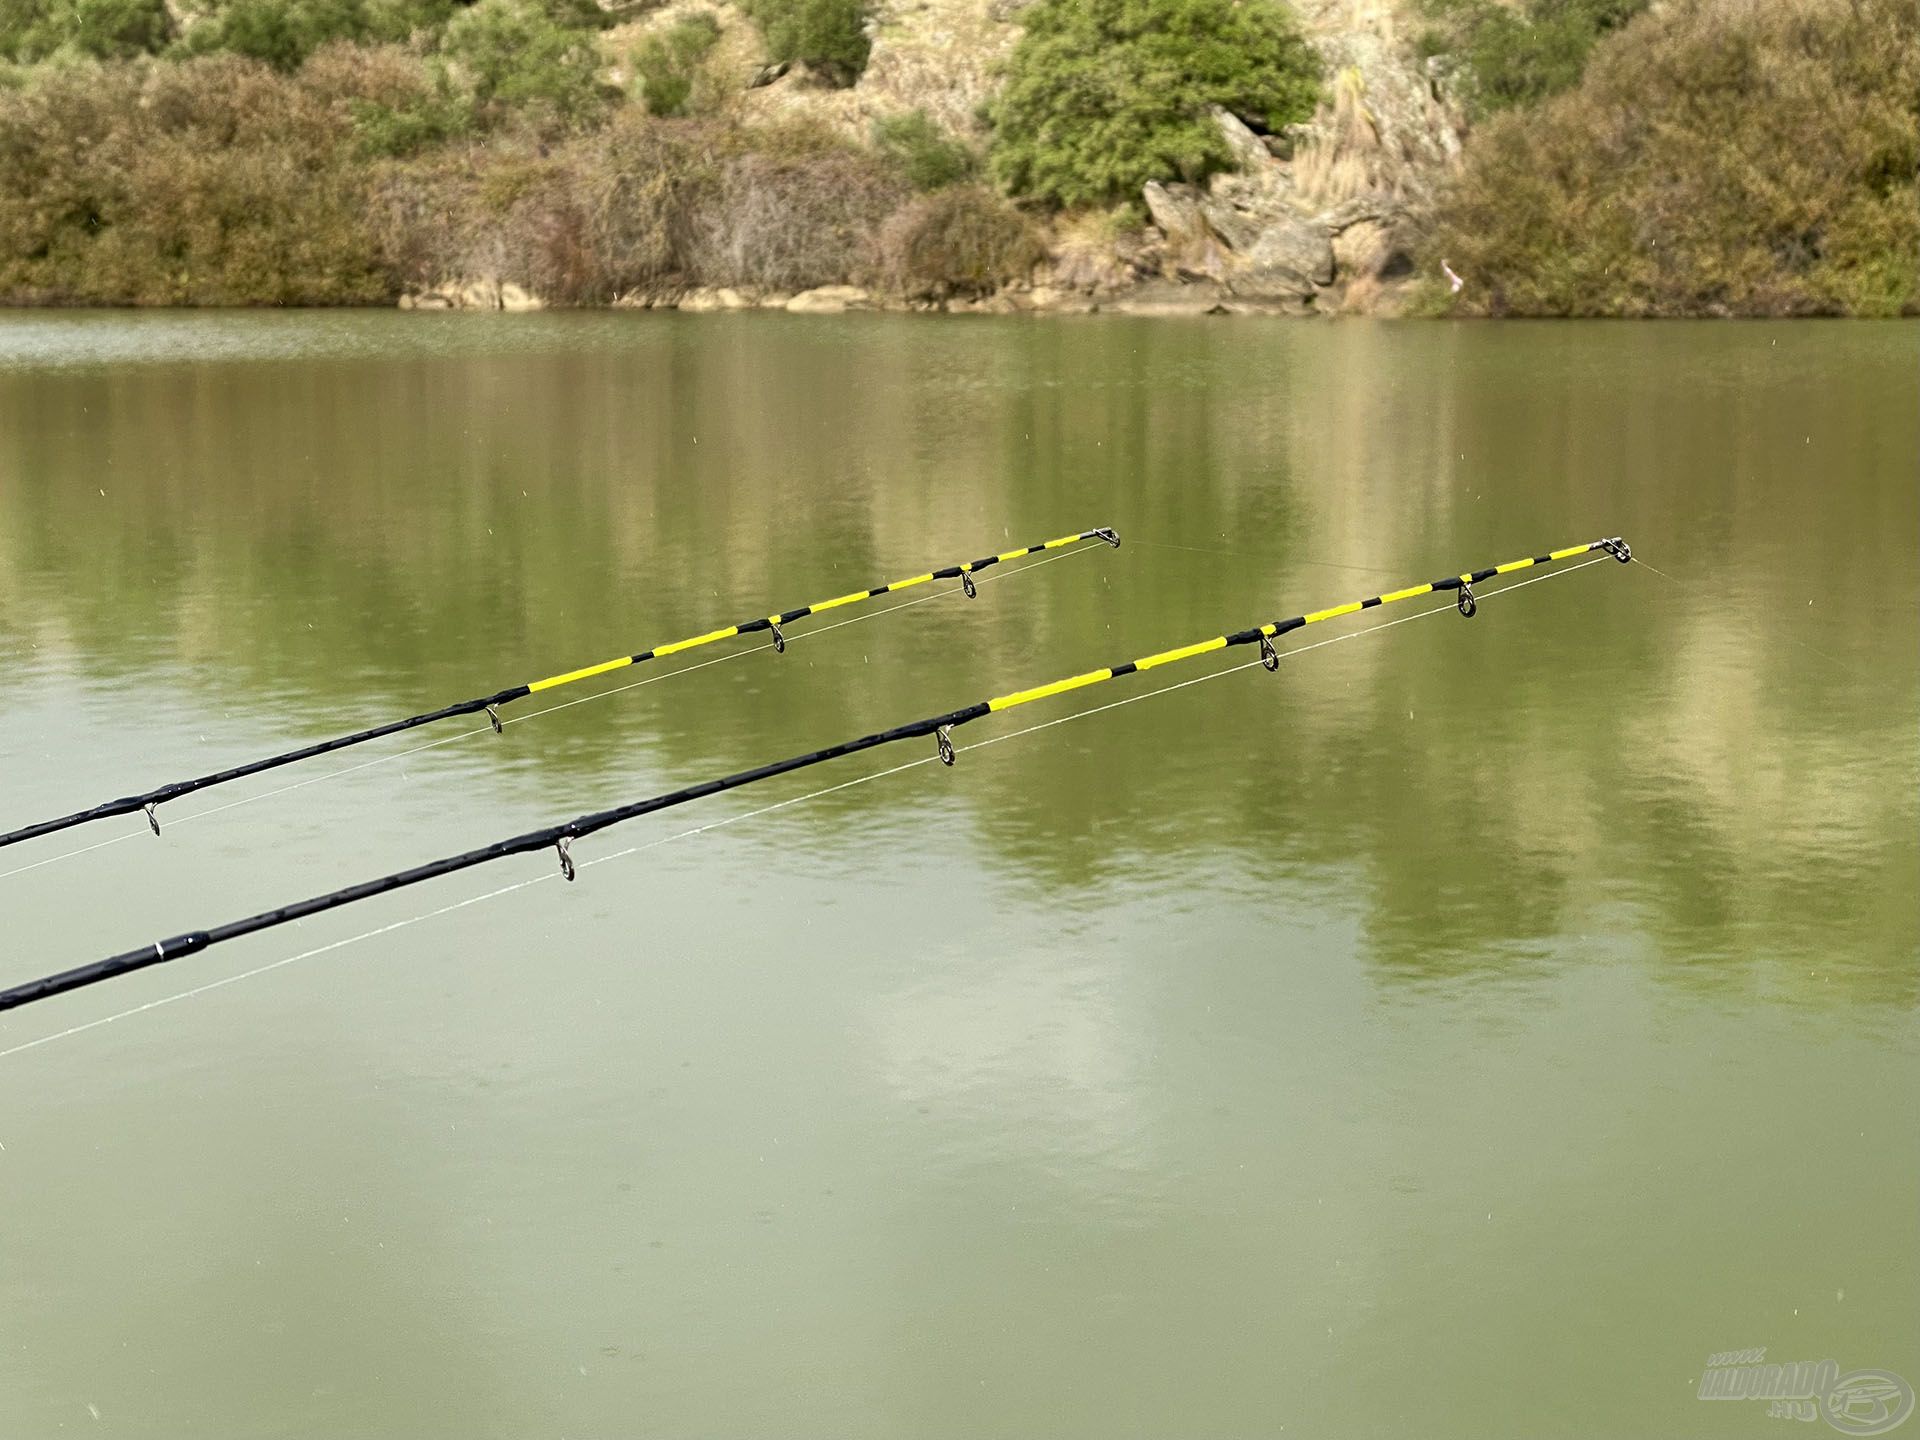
368	172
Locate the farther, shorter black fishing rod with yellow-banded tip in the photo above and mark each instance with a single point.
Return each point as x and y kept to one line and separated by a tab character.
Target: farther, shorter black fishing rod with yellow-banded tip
149	802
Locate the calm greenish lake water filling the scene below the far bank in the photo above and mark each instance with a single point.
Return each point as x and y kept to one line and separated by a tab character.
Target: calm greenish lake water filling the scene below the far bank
1464	1032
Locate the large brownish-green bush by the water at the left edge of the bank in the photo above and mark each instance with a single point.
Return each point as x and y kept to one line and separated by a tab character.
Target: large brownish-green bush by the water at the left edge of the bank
206	183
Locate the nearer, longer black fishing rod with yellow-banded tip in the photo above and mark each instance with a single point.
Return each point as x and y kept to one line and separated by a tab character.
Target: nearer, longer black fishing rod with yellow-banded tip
942	727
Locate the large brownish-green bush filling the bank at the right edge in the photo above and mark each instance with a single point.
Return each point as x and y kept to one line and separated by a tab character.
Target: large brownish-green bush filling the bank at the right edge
1721	156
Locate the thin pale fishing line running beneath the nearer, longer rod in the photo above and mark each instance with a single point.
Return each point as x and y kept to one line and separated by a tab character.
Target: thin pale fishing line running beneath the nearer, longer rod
757	813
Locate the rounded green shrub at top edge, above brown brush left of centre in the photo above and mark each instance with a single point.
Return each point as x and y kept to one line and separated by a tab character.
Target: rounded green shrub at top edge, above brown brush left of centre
516	57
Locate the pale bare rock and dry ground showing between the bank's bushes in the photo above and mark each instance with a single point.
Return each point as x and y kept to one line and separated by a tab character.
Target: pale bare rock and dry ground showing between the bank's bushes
1316	220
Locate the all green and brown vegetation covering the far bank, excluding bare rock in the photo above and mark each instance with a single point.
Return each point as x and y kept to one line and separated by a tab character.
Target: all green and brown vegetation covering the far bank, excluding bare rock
1710	156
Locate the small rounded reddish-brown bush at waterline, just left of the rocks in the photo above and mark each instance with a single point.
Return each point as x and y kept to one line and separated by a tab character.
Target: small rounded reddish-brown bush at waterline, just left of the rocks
965	241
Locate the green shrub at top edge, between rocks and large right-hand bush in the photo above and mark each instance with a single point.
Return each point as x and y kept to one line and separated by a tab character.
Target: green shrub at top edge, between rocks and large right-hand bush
1520	57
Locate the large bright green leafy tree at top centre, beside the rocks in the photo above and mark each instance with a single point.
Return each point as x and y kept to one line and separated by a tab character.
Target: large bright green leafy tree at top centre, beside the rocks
1107	95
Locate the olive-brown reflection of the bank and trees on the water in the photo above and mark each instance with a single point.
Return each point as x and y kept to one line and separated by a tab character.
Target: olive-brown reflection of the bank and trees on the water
456	521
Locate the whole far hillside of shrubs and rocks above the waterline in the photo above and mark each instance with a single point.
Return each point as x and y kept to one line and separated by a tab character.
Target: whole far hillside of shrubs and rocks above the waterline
1153	156
